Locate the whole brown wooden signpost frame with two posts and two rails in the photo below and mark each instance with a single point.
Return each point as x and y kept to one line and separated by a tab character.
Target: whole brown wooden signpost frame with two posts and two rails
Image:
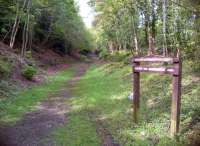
175	71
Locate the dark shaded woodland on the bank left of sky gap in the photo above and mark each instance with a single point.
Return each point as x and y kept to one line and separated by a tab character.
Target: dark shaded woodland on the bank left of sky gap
26	24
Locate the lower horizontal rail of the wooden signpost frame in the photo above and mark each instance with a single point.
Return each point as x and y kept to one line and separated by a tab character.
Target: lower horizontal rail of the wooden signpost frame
163	70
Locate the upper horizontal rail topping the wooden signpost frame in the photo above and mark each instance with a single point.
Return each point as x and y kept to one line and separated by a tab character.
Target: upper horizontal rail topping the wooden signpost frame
155	59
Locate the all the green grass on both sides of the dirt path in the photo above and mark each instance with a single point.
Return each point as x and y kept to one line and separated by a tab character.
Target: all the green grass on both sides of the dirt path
101	95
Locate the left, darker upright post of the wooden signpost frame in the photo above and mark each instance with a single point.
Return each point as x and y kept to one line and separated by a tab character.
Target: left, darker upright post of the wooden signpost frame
136	91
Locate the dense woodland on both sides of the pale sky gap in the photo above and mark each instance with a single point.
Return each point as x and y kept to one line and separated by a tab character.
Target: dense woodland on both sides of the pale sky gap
142	27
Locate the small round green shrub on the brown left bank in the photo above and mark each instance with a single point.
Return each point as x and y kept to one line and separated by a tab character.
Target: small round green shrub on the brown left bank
28	72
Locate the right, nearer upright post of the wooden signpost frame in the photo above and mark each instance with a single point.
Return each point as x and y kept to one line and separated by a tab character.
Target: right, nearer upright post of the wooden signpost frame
176	99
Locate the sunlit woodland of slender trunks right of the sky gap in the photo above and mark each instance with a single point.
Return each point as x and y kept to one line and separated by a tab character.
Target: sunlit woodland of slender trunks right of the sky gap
149	26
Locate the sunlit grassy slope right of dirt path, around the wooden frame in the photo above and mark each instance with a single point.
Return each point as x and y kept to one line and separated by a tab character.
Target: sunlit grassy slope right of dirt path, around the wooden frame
102	94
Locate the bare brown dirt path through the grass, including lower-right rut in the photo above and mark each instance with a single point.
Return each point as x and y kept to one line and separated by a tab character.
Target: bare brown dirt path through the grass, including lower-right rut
51	114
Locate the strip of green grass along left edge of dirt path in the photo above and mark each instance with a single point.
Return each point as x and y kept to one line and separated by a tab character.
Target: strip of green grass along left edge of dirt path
13	109
